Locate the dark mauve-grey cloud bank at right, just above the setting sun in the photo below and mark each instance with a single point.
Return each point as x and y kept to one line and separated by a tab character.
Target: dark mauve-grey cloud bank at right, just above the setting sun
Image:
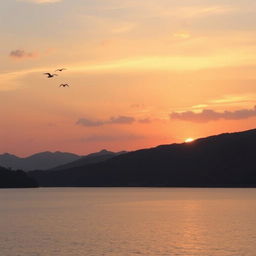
210	115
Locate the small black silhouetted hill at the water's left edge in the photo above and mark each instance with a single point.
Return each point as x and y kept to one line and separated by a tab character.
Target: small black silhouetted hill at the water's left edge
15	179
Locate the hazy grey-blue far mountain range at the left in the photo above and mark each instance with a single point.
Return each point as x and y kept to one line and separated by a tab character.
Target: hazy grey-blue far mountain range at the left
42	161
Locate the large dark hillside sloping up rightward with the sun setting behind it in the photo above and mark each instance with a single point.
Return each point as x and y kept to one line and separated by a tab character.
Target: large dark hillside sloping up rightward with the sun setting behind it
226	160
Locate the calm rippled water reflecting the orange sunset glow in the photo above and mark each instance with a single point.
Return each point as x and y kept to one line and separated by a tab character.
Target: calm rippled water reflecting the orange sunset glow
127	221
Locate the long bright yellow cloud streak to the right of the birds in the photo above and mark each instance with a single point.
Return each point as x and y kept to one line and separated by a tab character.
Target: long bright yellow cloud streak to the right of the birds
175	63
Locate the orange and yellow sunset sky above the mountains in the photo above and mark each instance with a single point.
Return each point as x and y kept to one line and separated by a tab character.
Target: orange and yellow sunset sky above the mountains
141	73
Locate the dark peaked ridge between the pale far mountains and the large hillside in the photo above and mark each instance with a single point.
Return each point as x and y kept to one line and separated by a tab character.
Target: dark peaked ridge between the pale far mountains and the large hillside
97	157
